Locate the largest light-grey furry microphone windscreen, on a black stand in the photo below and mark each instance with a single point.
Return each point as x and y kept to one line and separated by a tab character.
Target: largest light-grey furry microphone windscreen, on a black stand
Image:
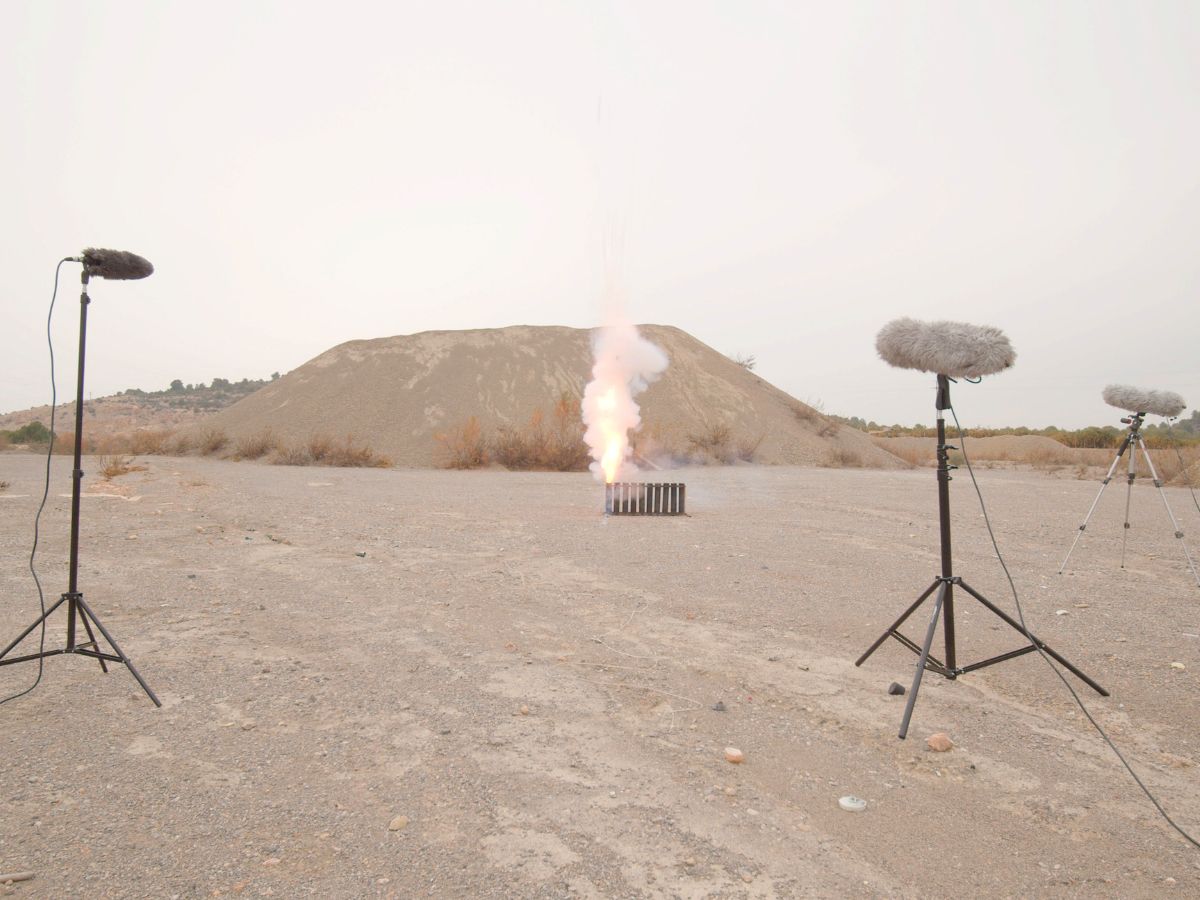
950	349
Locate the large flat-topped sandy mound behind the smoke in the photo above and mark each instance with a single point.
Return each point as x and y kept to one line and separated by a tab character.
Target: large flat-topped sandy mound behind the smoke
395	394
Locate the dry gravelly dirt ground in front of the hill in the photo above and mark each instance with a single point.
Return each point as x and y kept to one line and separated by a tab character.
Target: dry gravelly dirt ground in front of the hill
532	688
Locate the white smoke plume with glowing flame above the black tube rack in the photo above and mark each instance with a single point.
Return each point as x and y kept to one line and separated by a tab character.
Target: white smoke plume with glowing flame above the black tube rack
626	365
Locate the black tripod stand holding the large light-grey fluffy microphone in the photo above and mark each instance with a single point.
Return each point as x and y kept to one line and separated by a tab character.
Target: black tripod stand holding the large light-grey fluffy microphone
944	601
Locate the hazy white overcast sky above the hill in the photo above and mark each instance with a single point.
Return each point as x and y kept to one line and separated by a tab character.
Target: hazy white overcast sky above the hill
779	179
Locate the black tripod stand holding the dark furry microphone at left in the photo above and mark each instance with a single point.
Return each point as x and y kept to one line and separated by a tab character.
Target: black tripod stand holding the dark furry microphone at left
77	609
